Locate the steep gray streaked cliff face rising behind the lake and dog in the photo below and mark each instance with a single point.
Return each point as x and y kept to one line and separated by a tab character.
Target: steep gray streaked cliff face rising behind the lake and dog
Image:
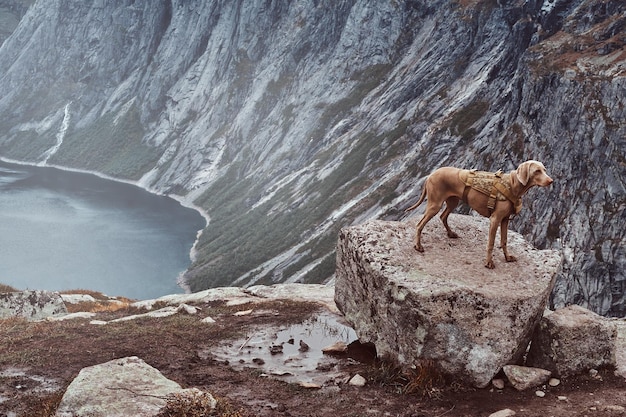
285	121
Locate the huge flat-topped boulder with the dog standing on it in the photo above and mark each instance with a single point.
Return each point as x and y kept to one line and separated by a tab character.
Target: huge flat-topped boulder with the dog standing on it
442	305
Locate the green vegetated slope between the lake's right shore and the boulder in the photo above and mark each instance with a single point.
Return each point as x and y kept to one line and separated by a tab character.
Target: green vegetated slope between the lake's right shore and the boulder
240	238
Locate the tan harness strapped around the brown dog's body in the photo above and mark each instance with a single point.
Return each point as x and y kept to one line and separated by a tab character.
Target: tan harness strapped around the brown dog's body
496	185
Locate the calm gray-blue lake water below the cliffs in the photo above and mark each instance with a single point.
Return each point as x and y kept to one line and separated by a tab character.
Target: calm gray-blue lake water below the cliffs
64	230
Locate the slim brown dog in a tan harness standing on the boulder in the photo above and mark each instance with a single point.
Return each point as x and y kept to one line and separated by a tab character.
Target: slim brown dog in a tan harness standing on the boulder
450	185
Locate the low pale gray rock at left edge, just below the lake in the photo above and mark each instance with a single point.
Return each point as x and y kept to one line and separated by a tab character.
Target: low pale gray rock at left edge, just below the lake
32	305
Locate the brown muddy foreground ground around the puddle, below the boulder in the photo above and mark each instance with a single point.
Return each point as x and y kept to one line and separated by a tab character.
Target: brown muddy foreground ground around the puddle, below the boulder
232	358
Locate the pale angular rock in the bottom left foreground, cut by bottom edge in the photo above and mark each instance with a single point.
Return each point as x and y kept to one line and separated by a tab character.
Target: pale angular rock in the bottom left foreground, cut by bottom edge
119	388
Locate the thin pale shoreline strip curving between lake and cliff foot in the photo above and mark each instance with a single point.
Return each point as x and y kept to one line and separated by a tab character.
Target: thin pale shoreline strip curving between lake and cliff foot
180	281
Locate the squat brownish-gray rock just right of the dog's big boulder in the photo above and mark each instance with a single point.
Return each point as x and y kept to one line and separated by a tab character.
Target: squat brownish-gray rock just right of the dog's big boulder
571	341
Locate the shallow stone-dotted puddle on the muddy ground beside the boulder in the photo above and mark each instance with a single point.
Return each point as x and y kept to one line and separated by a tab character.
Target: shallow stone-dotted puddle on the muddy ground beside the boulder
290	353
